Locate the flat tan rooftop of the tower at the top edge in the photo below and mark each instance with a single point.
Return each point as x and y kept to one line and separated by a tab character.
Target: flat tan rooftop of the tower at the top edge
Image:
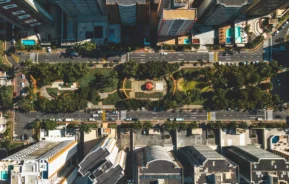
179	14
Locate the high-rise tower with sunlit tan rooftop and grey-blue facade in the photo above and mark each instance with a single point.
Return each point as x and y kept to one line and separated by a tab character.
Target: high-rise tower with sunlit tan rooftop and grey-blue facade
176	22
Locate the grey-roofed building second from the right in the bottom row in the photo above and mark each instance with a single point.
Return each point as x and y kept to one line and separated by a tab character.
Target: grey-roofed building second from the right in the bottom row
207	166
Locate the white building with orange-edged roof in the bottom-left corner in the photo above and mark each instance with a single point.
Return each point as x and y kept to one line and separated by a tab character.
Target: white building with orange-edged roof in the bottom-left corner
43	162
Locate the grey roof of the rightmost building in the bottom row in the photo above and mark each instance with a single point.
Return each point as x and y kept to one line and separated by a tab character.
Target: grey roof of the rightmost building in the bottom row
254	153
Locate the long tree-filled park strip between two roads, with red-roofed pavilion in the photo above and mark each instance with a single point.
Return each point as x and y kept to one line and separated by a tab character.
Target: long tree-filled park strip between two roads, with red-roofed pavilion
155	85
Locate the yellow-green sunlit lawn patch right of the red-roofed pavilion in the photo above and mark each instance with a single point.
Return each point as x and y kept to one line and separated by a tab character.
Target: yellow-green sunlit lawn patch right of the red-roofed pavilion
184	85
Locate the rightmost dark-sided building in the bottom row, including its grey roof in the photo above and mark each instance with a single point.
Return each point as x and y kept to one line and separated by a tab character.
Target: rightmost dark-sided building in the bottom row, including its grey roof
259	166
